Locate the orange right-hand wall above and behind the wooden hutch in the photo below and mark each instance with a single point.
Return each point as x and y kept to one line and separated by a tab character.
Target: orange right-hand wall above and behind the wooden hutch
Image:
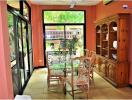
103	11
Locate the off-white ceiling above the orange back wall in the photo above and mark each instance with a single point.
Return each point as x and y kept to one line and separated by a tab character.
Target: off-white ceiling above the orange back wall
65	2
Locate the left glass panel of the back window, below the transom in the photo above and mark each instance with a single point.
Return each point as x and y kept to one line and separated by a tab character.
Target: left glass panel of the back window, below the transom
55	43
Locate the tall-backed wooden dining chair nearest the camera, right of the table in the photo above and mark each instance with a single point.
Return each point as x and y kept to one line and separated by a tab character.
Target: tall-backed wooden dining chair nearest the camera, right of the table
79	83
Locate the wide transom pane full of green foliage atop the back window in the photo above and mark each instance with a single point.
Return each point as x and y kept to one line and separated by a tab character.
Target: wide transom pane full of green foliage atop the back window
63	17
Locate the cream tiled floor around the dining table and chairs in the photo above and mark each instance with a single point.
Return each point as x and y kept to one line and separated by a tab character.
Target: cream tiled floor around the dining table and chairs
37	88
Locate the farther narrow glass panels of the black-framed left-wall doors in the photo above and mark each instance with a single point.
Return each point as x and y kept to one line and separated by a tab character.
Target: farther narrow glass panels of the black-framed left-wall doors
23	50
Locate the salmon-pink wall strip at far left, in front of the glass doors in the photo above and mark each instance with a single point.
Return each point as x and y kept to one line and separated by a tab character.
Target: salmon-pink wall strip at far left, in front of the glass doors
6	86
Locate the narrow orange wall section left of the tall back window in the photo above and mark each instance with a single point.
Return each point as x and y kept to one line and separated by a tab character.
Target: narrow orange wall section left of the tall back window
37	34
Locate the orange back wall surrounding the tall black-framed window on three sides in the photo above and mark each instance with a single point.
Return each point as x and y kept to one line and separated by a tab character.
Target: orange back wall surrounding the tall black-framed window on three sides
37	29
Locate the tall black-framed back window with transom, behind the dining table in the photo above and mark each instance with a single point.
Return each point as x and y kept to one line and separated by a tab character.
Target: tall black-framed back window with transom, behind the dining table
64	33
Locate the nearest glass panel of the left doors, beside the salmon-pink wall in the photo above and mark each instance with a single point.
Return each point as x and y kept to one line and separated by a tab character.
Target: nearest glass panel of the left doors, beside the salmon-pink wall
13	53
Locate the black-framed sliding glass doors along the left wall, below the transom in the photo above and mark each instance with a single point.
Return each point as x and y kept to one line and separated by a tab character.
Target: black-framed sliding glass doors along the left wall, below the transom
20	50
